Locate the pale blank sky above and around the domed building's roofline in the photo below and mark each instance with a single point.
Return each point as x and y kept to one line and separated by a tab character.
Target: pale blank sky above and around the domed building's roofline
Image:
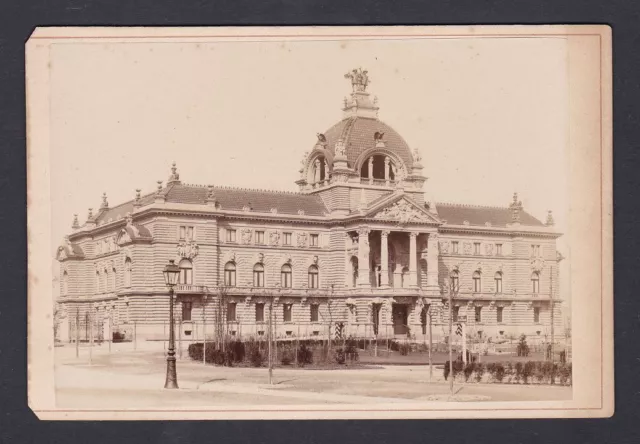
489	116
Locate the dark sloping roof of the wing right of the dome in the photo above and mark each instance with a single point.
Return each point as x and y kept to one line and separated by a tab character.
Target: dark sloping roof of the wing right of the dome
458	214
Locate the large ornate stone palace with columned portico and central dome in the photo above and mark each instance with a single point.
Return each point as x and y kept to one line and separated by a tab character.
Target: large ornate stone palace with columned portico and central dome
357	245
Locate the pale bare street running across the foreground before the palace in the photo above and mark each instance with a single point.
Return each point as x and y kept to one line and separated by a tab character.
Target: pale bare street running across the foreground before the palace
128	378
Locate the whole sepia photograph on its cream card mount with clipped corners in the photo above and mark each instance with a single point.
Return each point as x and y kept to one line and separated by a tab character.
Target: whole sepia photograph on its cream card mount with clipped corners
288	223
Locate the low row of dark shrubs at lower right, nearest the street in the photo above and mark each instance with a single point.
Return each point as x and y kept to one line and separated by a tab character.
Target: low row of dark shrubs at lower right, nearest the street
541	372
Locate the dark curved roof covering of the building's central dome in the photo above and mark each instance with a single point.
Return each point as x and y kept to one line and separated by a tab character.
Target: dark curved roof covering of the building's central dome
358	135
